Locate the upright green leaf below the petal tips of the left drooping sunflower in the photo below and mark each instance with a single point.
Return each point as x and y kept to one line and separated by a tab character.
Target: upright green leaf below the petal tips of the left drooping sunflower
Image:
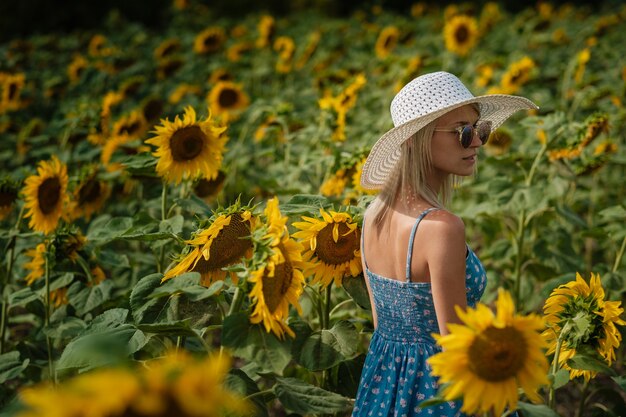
145	309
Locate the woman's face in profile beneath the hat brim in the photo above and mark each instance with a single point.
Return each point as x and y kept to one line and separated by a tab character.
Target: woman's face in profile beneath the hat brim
448	155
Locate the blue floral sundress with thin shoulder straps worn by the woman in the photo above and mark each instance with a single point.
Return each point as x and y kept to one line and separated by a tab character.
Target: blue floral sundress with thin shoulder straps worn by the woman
395	376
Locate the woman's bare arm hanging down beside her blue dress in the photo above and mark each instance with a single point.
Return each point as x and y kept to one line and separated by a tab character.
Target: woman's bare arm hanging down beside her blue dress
445	254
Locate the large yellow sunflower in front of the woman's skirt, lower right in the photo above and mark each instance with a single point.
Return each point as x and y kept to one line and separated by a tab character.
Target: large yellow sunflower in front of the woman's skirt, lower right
489	357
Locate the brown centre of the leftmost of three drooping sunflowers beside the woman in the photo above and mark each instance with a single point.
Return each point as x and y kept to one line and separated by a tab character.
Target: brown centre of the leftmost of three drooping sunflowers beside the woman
230	245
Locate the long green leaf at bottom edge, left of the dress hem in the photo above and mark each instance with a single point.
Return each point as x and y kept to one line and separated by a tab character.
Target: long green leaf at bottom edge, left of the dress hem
303	398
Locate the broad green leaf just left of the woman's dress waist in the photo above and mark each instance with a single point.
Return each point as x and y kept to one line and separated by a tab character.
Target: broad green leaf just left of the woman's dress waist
327	348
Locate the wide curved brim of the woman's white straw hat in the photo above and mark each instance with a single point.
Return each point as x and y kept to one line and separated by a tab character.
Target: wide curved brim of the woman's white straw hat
385	153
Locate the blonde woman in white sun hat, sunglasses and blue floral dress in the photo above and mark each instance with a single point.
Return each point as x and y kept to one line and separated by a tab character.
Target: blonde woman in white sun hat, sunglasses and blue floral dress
417	275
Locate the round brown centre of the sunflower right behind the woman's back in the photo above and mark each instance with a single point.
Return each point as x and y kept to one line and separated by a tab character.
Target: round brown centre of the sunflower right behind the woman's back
336	253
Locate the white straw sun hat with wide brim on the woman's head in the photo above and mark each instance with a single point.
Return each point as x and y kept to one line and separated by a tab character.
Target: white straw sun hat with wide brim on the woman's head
420	102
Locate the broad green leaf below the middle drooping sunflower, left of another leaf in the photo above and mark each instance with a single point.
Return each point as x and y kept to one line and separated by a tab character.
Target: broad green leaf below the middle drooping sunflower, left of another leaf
253	343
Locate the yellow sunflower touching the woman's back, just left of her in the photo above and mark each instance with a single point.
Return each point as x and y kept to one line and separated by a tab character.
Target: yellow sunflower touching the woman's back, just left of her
333	246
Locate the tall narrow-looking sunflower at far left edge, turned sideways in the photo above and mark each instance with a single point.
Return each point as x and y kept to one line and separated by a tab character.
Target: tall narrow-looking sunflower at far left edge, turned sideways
45	195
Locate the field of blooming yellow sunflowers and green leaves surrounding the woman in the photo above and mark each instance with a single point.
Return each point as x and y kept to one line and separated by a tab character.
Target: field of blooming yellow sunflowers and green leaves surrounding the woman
180	209
